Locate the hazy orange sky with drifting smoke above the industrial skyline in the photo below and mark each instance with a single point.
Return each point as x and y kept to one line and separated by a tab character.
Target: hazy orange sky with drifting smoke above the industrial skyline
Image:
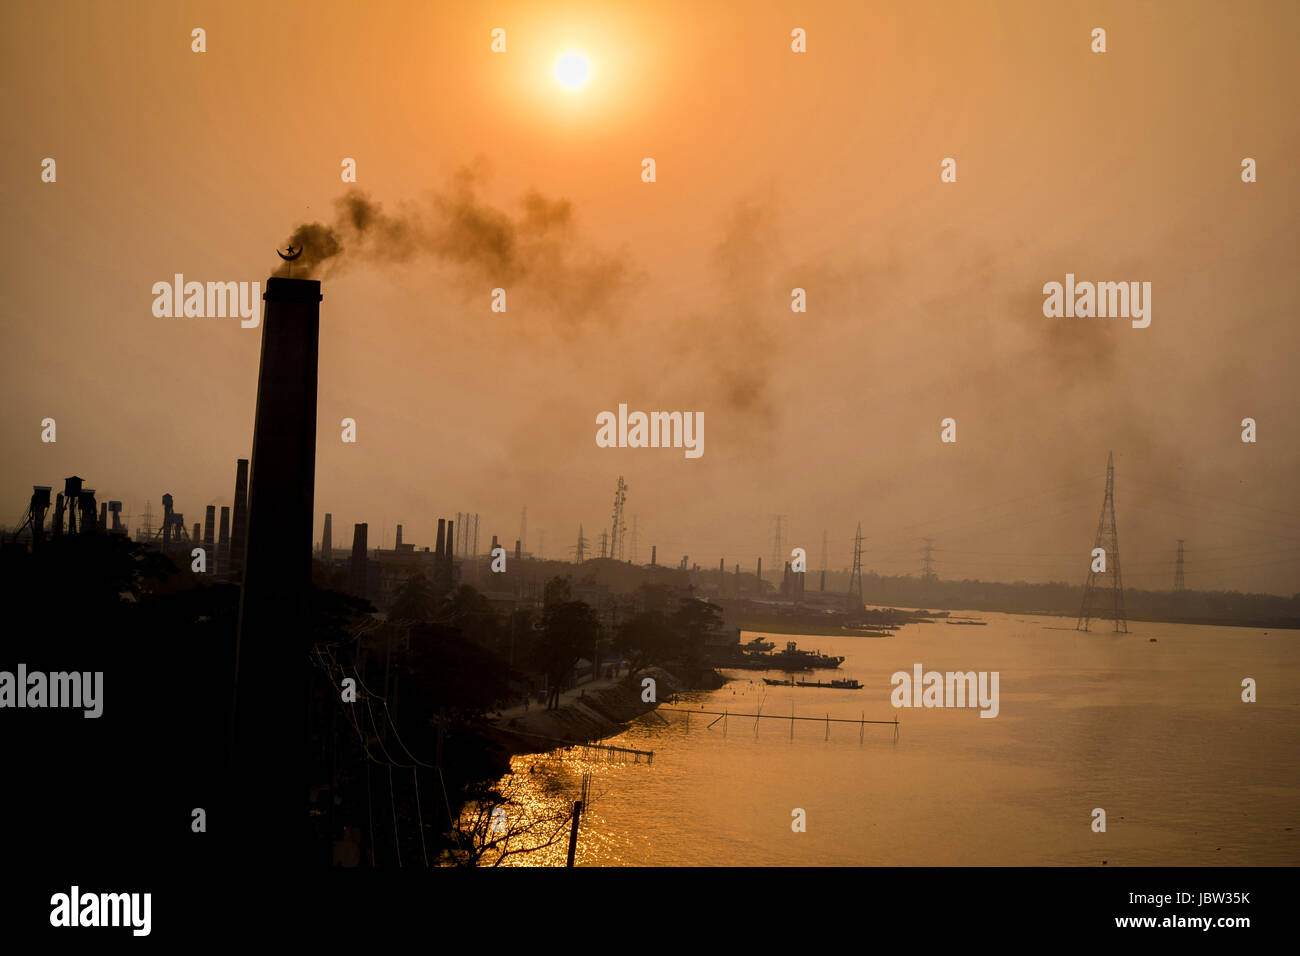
775	170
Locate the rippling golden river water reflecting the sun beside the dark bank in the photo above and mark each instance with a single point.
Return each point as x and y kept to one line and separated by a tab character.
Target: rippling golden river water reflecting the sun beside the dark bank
1155	734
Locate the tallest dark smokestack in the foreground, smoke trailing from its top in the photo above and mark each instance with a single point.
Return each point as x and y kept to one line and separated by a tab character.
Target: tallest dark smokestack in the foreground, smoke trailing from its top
270	719
